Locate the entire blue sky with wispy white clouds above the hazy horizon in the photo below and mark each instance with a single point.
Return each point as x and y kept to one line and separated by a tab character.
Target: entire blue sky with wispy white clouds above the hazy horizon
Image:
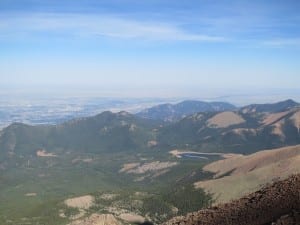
152	47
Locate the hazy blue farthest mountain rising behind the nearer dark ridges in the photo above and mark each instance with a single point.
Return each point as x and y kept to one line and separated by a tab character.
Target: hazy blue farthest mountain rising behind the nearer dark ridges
175	112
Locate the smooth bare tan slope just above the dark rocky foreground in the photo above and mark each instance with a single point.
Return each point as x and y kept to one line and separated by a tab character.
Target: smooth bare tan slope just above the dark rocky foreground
240	175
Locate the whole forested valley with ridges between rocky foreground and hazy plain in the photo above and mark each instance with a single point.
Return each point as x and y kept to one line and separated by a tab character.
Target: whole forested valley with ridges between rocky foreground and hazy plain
126	169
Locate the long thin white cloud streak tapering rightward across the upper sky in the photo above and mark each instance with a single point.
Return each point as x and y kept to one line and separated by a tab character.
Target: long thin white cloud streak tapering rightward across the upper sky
97	25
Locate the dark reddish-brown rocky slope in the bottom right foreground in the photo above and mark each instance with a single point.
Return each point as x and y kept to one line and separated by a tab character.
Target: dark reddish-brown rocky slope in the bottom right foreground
276	204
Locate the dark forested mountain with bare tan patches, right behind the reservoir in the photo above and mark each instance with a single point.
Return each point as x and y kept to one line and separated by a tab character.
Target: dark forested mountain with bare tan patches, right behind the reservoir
233	131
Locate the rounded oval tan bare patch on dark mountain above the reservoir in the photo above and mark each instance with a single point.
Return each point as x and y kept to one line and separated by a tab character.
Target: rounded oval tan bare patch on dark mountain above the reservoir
225	119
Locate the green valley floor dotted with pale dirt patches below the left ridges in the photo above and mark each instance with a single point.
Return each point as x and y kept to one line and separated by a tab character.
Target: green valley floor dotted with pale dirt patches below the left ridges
36	191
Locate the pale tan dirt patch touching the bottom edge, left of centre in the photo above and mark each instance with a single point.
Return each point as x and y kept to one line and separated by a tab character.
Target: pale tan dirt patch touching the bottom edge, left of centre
97	219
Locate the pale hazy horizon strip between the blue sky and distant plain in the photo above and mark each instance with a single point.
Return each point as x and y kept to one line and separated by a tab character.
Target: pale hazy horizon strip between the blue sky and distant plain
238	97
